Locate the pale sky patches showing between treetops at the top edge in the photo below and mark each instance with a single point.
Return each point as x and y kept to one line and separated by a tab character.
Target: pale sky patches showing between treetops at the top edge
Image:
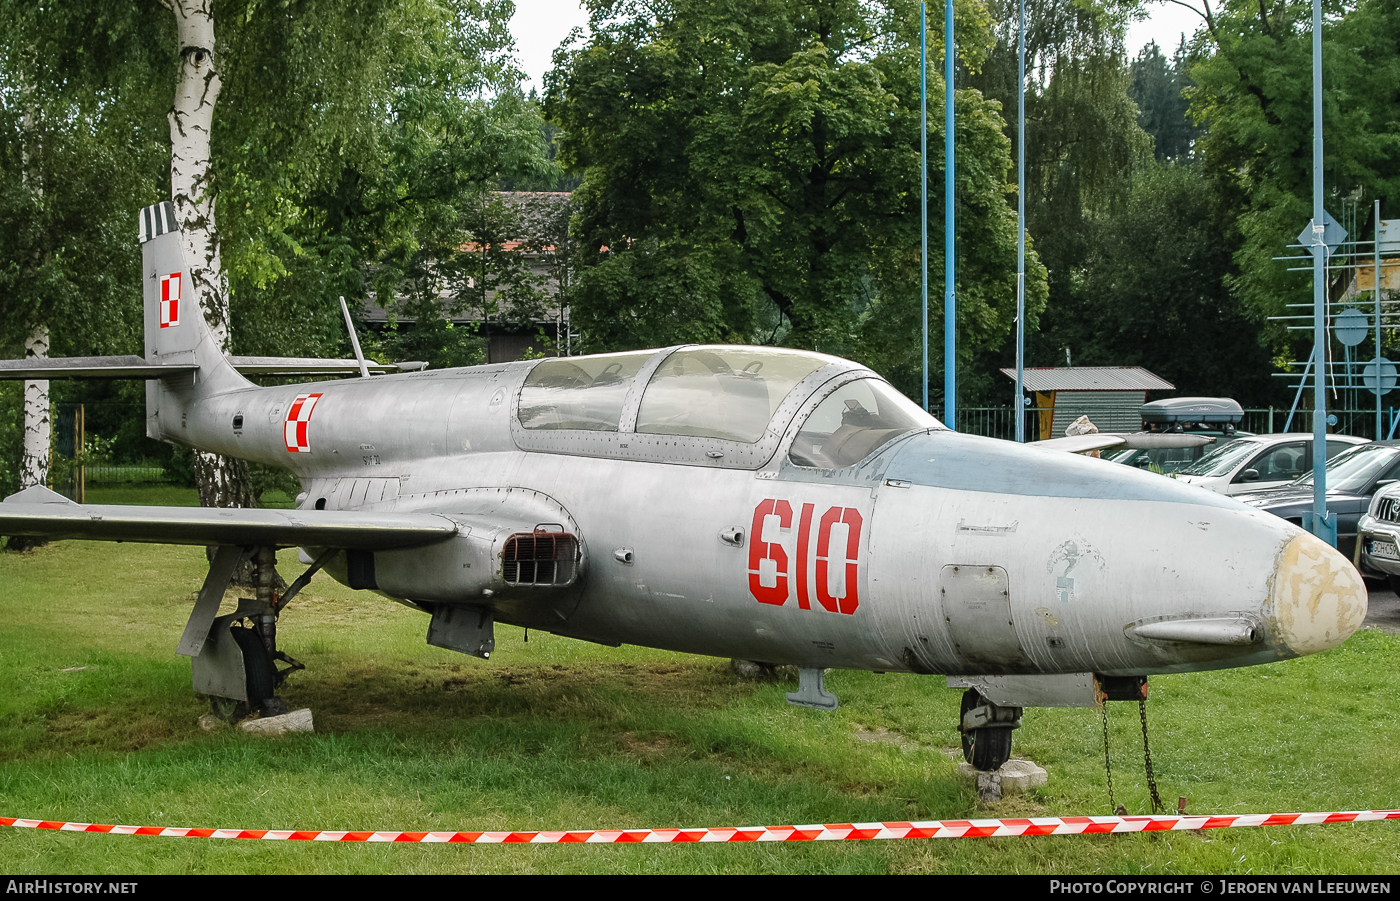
540	26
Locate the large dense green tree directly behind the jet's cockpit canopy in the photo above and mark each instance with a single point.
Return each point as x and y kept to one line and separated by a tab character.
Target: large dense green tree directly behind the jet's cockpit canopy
751	174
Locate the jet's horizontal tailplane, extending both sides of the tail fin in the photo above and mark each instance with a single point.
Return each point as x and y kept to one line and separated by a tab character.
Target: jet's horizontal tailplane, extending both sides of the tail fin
132	367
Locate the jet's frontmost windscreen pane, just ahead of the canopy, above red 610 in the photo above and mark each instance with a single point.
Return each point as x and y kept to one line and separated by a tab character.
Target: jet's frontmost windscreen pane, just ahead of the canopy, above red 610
853	423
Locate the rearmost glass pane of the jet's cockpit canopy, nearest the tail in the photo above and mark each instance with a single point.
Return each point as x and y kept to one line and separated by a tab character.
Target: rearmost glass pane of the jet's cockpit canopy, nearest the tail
580	392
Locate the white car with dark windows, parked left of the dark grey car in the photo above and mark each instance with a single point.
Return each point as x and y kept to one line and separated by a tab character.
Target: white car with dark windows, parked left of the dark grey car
1259	462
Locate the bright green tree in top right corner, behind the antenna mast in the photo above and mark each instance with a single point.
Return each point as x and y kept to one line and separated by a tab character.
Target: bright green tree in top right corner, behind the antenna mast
1255	97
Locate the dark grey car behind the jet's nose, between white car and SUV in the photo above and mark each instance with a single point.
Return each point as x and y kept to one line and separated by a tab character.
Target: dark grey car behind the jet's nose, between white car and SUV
1353	479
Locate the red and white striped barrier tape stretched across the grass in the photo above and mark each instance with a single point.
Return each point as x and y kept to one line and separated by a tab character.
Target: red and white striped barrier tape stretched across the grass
838	832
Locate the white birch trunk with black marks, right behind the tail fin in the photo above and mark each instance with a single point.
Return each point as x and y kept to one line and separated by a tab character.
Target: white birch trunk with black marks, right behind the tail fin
223	482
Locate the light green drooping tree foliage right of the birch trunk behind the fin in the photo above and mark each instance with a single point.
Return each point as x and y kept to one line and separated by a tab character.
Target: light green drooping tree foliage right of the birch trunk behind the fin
393	122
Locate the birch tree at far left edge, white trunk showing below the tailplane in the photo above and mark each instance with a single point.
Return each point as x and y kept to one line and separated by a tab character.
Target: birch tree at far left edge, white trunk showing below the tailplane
71	149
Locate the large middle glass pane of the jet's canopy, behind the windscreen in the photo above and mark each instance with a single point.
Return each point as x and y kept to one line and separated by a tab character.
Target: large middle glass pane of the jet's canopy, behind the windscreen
722	392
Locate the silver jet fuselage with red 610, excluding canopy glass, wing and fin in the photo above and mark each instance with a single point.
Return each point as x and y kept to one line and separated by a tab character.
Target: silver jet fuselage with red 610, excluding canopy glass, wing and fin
941	553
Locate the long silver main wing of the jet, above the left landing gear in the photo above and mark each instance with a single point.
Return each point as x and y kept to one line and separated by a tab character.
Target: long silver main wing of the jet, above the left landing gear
47	514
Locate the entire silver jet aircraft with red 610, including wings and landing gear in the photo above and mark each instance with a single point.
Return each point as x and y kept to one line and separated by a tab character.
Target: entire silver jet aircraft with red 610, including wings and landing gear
754	503
